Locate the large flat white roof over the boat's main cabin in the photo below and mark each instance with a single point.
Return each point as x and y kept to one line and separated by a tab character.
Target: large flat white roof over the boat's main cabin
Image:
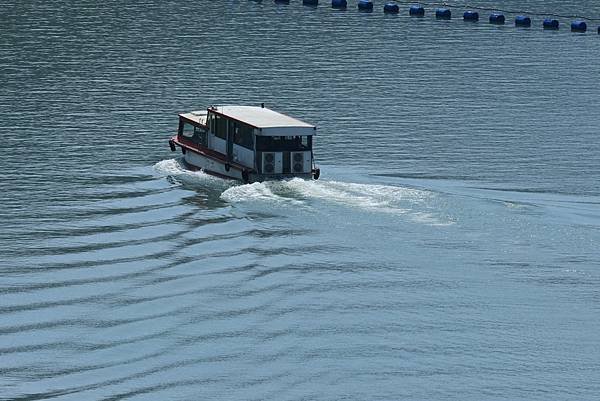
269	122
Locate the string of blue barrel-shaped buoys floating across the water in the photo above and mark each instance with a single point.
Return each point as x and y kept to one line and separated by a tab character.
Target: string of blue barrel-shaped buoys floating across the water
442	11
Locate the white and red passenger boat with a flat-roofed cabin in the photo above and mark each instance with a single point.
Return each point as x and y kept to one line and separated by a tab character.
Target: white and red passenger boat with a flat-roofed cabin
246	143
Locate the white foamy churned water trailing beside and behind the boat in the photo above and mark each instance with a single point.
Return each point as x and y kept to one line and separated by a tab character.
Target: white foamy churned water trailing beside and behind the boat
420	205
